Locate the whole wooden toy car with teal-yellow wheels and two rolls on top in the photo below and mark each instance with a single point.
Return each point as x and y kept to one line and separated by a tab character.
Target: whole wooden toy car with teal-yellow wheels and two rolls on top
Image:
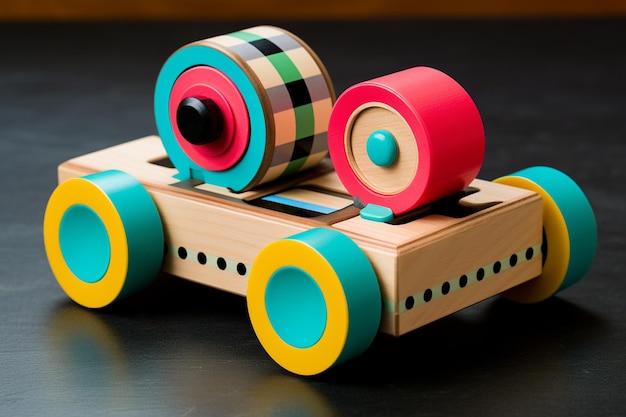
237	193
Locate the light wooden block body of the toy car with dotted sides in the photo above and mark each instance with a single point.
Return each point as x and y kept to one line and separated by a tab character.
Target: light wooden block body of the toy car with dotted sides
427	268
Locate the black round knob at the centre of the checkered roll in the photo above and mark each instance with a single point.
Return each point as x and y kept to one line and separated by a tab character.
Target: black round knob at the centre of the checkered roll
199	121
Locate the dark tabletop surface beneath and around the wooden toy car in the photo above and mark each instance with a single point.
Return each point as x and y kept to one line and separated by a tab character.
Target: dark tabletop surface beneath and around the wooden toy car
550	93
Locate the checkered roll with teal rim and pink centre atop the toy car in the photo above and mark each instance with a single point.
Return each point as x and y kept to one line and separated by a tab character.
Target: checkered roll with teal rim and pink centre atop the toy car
273	96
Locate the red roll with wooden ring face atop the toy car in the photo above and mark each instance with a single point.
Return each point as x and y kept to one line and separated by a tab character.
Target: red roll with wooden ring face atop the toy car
437	129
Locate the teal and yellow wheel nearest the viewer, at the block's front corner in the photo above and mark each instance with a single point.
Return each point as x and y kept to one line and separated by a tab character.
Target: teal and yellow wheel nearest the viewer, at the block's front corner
313	300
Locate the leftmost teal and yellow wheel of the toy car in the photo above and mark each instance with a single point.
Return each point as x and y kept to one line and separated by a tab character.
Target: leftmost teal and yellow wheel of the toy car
103	237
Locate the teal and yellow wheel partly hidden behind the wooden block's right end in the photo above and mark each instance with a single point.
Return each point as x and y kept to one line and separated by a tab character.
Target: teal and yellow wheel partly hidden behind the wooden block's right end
570	232
